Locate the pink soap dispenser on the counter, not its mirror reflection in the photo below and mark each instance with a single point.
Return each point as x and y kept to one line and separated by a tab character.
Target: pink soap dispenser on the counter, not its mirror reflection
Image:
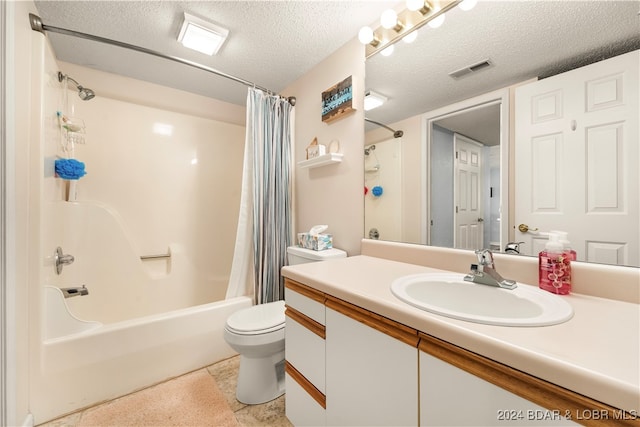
554	267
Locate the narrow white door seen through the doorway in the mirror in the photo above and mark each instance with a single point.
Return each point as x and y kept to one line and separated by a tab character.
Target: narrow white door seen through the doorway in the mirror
468	226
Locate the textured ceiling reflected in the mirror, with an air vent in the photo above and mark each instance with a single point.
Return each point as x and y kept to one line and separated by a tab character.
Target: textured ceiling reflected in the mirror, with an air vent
523	40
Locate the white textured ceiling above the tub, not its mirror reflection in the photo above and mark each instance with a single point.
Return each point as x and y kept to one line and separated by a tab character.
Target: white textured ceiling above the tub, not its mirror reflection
271	43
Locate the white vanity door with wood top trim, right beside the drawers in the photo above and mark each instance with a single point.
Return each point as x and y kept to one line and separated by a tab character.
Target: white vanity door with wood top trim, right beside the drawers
372	369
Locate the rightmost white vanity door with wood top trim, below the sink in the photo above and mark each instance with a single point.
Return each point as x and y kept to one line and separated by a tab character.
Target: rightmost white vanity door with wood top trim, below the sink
461	388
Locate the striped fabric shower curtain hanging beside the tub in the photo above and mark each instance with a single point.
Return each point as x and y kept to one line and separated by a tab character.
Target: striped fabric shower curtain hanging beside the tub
265	222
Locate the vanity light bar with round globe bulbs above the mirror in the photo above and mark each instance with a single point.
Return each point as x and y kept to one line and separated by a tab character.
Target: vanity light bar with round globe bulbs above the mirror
396	25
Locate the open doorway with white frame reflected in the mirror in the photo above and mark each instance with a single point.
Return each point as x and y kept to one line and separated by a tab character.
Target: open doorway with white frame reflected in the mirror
467	164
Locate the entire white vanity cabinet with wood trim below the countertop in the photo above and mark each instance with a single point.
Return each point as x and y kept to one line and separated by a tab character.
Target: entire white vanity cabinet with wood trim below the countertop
346	365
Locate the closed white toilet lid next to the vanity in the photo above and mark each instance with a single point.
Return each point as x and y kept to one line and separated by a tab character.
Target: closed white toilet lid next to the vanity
260	318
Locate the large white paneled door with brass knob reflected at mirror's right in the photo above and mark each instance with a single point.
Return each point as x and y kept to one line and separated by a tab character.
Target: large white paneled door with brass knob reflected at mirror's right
576	160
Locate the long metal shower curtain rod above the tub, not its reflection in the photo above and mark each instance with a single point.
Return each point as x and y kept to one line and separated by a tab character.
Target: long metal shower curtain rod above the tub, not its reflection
38	25
